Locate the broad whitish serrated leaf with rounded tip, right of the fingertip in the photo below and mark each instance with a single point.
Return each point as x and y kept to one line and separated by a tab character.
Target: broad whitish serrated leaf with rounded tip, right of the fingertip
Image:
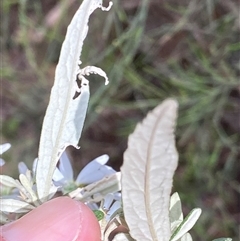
149	164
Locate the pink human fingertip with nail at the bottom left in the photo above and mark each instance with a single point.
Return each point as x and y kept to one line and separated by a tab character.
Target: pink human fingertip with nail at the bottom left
60	219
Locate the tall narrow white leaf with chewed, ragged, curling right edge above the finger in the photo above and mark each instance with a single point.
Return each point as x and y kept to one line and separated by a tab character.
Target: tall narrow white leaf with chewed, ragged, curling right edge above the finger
65	115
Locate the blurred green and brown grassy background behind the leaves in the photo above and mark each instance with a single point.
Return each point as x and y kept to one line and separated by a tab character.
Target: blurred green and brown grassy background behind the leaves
151	50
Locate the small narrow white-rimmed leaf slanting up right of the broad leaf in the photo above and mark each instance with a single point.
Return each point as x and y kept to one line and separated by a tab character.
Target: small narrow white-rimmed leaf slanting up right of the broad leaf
186	224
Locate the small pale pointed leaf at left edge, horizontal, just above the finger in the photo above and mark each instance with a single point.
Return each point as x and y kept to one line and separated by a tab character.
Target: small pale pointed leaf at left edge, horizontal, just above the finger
14	206
